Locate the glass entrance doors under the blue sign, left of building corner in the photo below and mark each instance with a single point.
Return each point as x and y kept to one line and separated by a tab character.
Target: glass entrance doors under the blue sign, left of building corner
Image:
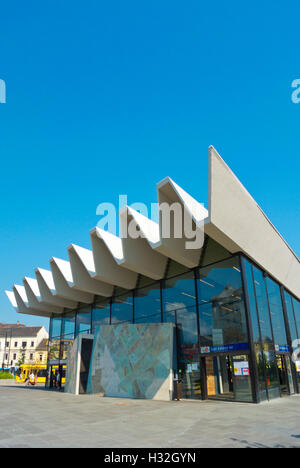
228	377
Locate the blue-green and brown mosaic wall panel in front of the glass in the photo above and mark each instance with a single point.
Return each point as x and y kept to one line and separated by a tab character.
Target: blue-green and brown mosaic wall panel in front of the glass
132	361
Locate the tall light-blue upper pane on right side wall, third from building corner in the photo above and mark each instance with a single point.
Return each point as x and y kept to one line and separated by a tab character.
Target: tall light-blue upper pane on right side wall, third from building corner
276	311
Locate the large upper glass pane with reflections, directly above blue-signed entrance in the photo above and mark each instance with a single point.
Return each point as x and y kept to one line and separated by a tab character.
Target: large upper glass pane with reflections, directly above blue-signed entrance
221	304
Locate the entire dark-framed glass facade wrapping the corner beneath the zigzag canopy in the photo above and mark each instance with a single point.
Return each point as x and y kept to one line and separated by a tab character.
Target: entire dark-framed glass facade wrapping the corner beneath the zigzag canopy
230	320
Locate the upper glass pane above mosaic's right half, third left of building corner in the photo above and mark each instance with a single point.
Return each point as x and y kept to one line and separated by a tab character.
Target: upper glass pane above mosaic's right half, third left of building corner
147	304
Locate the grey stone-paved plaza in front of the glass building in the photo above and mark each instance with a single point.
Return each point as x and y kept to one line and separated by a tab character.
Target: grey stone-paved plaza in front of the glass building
35	417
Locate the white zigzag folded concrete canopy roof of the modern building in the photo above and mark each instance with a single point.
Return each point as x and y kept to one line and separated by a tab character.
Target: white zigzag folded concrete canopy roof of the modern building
233	219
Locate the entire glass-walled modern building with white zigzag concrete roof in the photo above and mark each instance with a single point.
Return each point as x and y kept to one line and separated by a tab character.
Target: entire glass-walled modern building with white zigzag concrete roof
234	302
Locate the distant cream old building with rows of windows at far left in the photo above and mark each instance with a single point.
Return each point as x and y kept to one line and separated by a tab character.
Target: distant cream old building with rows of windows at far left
18	342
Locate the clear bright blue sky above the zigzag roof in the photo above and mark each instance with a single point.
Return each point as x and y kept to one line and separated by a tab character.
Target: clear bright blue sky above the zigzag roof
108	98
